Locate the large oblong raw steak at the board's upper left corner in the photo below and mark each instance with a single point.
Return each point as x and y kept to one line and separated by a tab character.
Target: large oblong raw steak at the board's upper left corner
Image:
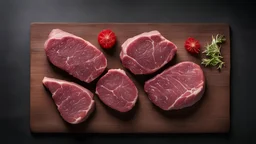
75	55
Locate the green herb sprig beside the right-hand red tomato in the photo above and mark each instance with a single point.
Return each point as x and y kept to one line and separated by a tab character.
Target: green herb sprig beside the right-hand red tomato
213	53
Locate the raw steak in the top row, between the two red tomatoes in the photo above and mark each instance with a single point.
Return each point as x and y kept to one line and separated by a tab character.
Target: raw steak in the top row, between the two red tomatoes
147	52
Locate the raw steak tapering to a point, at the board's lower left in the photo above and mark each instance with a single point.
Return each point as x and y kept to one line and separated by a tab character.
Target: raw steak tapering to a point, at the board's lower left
75	103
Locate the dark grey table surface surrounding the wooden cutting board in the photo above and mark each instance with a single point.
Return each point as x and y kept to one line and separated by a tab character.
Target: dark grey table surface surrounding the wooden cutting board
16	16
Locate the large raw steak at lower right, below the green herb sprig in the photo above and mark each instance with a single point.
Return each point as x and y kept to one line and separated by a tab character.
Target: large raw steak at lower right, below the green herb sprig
177	87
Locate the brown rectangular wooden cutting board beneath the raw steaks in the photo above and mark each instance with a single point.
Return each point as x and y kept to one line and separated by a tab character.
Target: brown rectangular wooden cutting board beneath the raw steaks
210	115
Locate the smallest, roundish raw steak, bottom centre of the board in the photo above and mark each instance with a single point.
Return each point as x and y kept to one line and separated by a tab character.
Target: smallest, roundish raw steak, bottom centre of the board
117	90
